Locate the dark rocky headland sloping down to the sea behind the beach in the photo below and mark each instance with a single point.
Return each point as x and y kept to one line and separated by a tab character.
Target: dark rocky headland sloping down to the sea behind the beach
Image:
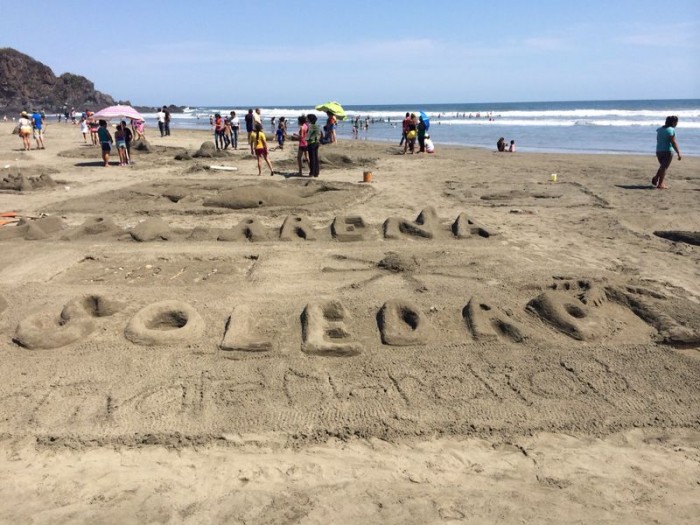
27	84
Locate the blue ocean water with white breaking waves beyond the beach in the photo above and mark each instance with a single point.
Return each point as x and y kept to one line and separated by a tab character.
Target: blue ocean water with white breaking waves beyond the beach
609	126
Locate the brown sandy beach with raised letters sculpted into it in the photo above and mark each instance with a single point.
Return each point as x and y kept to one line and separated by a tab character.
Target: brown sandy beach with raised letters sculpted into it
462	340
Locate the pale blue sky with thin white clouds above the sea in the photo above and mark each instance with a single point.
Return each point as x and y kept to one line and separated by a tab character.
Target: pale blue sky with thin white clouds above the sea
276	53
